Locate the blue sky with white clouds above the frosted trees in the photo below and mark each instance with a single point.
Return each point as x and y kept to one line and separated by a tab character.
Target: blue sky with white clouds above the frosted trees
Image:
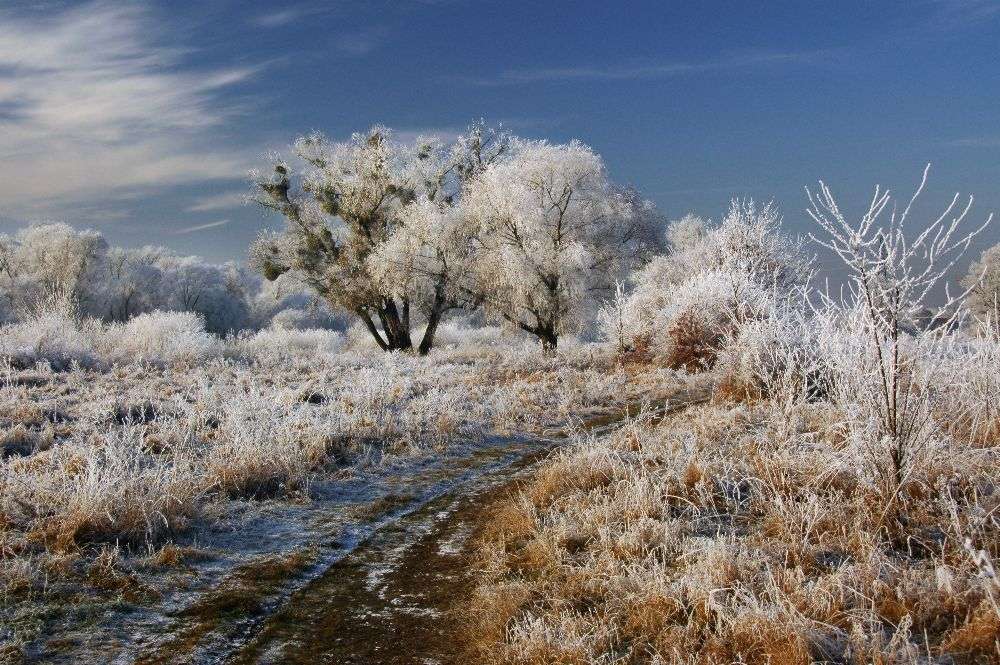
141	119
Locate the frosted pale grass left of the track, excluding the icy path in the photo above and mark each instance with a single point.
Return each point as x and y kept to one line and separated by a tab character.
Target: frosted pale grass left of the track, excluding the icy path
128	434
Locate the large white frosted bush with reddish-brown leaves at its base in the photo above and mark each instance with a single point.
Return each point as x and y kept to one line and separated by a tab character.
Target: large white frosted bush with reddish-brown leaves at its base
712	280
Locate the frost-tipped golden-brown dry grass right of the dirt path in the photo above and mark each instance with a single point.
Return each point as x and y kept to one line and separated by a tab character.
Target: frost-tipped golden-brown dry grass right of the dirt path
713	538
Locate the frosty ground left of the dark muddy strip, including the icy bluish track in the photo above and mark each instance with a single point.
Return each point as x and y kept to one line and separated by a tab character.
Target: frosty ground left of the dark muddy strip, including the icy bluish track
165	505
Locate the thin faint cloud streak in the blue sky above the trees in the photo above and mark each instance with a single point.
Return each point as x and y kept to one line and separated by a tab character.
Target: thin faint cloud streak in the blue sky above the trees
646	70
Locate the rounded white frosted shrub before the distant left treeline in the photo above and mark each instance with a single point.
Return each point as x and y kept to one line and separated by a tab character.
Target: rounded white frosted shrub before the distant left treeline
169	338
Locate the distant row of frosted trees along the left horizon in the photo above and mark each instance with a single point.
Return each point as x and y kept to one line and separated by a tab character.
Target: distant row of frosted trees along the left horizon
52	268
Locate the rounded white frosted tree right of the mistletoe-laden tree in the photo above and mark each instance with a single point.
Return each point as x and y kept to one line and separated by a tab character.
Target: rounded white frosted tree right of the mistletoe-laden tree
552	235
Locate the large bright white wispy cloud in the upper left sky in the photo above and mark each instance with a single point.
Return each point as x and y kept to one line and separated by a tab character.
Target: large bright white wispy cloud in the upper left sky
94	105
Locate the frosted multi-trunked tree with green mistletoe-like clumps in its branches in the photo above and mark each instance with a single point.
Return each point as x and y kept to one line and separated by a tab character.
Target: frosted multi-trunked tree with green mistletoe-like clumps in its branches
370	225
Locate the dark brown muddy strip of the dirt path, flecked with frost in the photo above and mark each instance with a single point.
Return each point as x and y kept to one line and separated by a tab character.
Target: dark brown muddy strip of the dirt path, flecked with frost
392	599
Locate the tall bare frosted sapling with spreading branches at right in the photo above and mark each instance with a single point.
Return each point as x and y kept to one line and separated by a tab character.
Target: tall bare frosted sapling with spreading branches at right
887	379
